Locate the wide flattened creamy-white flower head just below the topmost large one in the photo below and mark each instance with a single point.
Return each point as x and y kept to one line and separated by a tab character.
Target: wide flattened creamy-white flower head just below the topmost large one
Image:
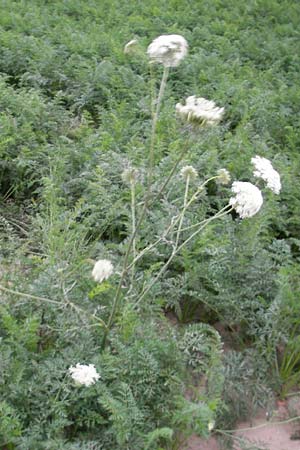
200	111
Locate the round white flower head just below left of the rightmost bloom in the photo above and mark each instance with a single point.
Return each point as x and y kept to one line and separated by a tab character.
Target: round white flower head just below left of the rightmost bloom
248	199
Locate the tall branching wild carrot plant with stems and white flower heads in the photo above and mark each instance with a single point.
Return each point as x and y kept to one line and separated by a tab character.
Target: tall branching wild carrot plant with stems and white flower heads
169	50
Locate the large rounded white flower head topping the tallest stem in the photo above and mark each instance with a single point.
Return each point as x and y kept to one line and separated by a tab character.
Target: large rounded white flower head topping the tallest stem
168	49
